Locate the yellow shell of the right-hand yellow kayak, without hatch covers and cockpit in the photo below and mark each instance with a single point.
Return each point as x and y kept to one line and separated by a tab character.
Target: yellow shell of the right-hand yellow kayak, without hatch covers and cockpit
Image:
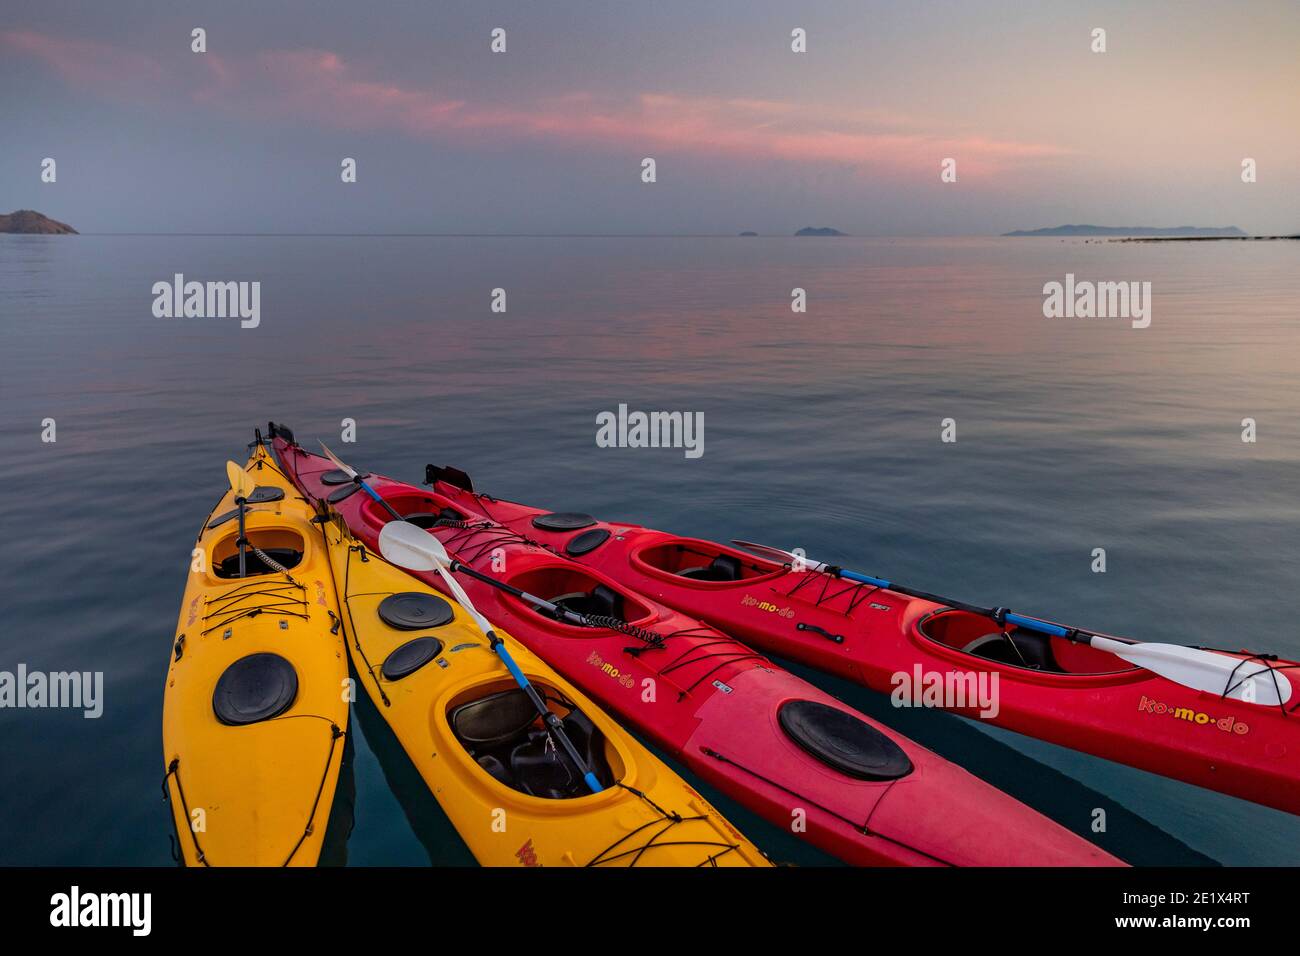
622	825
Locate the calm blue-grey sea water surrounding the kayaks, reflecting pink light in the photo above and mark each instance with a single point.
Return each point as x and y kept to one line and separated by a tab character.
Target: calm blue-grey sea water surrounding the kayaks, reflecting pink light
822	431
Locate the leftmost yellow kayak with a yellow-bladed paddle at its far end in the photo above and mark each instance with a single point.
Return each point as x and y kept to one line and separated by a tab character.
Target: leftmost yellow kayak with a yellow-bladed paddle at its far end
257	699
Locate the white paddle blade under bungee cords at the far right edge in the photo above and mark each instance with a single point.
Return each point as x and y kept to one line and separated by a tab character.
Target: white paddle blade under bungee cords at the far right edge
1204	671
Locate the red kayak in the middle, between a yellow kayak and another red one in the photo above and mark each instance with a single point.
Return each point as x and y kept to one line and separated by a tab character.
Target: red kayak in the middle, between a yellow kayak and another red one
764	737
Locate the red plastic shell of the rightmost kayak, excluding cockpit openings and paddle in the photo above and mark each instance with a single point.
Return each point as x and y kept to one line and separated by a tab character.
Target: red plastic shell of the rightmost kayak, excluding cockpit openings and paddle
1110	713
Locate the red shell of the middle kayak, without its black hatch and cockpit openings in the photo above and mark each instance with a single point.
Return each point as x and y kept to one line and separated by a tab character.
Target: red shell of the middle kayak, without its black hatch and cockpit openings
726	730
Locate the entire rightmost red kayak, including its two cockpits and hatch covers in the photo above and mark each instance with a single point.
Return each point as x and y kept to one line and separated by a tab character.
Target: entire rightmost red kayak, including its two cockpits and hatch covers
1048	686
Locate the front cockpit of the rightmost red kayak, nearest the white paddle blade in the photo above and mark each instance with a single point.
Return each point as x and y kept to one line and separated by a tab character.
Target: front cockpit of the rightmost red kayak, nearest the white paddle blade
1012	647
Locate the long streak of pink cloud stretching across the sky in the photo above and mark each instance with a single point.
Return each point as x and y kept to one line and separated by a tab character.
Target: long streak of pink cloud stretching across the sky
320	89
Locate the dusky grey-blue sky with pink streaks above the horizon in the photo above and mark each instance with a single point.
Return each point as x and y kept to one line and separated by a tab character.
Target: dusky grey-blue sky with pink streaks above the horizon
549	137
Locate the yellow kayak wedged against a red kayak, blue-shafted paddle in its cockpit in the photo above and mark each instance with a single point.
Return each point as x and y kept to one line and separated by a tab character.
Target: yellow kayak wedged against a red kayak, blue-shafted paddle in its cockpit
479	743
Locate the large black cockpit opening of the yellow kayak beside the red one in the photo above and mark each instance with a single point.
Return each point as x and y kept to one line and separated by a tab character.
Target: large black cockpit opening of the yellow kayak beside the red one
501	730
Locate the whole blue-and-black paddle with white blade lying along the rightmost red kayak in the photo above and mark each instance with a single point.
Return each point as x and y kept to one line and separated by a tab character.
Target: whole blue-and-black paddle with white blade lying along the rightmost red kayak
1201	671
